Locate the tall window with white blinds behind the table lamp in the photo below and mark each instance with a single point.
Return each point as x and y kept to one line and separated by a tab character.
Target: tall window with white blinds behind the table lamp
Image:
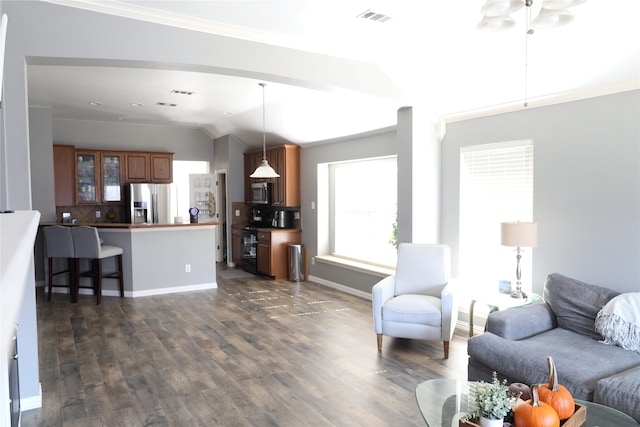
496	185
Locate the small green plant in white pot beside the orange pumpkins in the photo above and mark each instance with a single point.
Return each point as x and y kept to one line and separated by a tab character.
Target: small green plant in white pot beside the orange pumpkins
493	402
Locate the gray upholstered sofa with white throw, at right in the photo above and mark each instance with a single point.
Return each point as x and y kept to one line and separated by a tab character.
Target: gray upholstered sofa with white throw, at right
517	342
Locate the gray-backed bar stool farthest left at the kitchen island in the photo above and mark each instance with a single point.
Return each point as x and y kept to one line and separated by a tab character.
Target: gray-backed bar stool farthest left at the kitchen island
59	244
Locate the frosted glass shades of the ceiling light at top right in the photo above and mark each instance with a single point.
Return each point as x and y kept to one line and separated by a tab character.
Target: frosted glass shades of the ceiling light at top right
553	13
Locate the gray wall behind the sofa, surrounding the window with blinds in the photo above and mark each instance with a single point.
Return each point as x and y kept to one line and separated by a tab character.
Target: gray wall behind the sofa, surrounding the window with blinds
586	185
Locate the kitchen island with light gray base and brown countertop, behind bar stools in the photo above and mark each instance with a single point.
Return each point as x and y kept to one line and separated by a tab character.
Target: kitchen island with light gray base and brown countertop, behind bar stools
159	258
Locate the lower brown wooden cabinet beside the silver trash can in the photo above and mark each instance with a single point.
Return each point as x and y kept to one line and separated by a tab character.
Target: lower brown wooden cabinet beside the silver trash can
272	251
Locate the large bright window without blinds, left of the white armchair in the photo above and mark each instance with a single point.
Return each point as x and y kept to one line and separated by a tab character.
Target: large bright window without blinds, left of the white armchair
363	205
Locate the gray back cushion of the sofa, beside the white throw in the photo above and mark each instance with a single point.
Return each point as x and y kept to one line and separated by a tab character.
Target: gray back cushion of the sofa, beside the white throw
576	304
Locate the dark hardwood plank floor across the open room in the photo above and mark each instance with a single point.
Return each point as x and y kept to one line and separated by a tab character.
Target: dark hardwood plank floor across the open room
253	352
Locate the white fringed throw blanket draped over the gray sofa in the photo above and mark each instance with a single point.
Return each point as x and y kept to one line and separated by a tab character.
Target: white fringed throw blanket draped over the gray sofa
619	321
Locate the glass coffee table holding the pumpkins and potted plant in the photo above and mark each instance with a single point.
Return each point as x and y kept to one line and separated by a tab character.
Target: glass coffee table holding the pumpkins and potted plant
443	402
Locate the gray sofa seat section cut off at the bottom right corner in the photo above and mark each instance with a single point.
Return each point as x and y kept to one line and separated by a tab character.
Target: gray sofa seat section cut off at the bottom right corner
621	392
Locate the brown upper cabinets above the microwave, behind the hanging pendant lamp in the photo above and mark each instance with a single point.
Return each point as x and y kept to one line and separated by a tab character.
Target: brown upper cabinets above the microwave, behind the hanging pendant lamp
285	160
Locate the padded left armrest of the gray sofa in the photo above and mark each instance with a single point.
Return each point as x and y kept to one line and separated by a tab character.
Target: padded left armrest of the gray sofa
521	322
